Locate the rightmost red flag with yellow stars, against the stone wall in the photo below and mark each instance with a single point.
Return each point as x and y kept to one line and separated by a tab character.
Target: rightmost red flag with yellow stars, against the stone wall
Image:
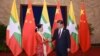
84	35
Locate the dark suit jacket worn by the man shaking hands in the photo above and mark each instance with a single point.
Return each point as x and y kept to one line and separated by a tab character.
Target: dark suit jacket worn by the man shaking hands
64	41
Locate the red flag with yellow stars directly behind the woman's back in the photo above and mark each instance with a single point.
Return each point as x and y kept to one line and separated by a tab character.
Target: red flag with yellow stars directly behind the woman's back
29	31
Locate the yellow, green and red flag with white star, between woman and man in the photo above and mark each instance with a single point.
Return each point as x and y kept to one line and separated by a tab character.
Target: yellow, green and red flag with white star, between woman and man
46	26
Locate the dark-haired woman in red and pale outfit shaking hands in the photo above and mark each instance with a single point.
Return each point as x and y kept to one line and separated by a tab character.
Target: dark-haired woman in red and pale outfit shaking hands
41	41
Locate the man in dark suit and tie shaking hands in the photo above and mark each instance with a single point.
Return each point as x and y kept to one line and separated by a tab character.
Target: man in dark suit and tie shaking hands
62	37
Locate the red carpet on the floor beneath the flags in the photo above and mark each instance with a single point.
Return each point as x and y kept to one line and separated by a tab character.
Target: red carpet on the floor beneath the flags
92	52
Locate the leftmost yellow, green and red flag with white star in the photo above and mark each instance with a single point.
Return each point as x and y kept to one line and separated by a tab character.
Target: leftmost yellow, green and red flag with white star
13	33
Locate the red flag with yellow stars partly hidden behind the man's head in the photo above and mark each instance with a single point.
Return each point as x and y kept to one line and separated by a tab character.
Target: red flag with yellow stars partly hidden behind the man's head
58	16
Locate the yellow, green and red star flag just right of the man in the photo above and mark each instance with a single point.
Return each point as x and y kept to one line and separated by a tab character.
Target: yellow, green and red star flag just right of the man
72	27
